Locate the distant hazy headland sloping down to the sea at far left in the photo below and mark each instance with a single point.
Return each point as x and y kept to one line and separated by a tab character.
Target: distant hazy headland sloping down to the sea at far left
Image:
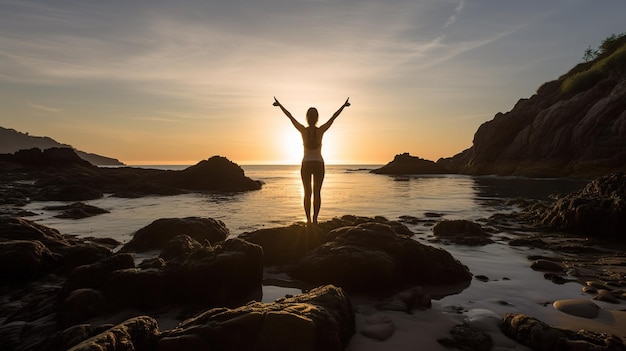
12	141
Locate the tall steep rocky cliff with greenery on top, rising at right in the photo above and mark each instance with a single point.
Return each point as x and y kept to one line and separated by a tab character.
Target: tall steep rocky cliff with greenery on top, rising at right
573	126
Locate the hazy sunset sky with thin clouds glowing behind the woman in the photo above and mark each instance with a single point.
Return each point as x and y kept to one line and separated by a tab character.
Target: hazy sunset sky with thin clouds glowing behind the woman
176	82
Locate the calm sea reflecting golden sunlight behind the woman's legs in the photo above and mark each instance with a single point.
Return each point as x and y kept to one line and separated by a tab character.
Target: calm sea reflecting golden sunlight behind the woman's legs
347	190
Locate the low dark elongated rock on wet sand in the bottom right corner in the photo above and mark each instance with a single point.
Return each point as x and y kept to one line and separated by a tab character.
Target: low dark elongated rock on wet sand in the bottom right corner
538	335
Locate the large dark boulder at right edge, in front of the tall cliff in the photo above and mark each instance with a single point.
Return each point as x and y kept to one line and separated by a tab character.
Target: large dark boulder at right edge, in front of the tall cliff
599	209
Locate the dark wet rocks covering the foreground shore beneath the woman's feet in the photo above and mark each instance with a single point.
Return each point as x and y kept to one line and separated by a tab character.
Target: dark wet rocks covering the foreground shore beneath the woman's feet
59	291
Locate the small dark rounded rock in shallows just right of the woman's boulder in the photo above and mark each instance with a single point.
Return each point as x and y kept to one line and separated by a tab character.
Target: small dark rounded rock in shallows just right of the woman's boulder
461	232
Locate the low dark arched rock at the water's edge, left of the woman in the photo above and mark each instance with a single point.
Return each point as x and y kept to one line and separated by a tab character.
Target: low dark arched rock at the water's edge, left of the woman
158	233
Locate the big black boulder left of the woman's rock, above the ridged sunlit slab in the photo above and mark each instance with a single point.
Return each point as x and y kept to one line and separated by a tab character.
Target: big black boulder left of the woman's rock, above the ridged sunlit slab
227	274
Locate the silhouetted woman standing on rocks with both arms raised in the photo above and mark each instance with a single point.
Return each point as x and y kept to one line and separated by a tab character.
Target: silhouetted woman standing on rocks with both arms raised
312	162
